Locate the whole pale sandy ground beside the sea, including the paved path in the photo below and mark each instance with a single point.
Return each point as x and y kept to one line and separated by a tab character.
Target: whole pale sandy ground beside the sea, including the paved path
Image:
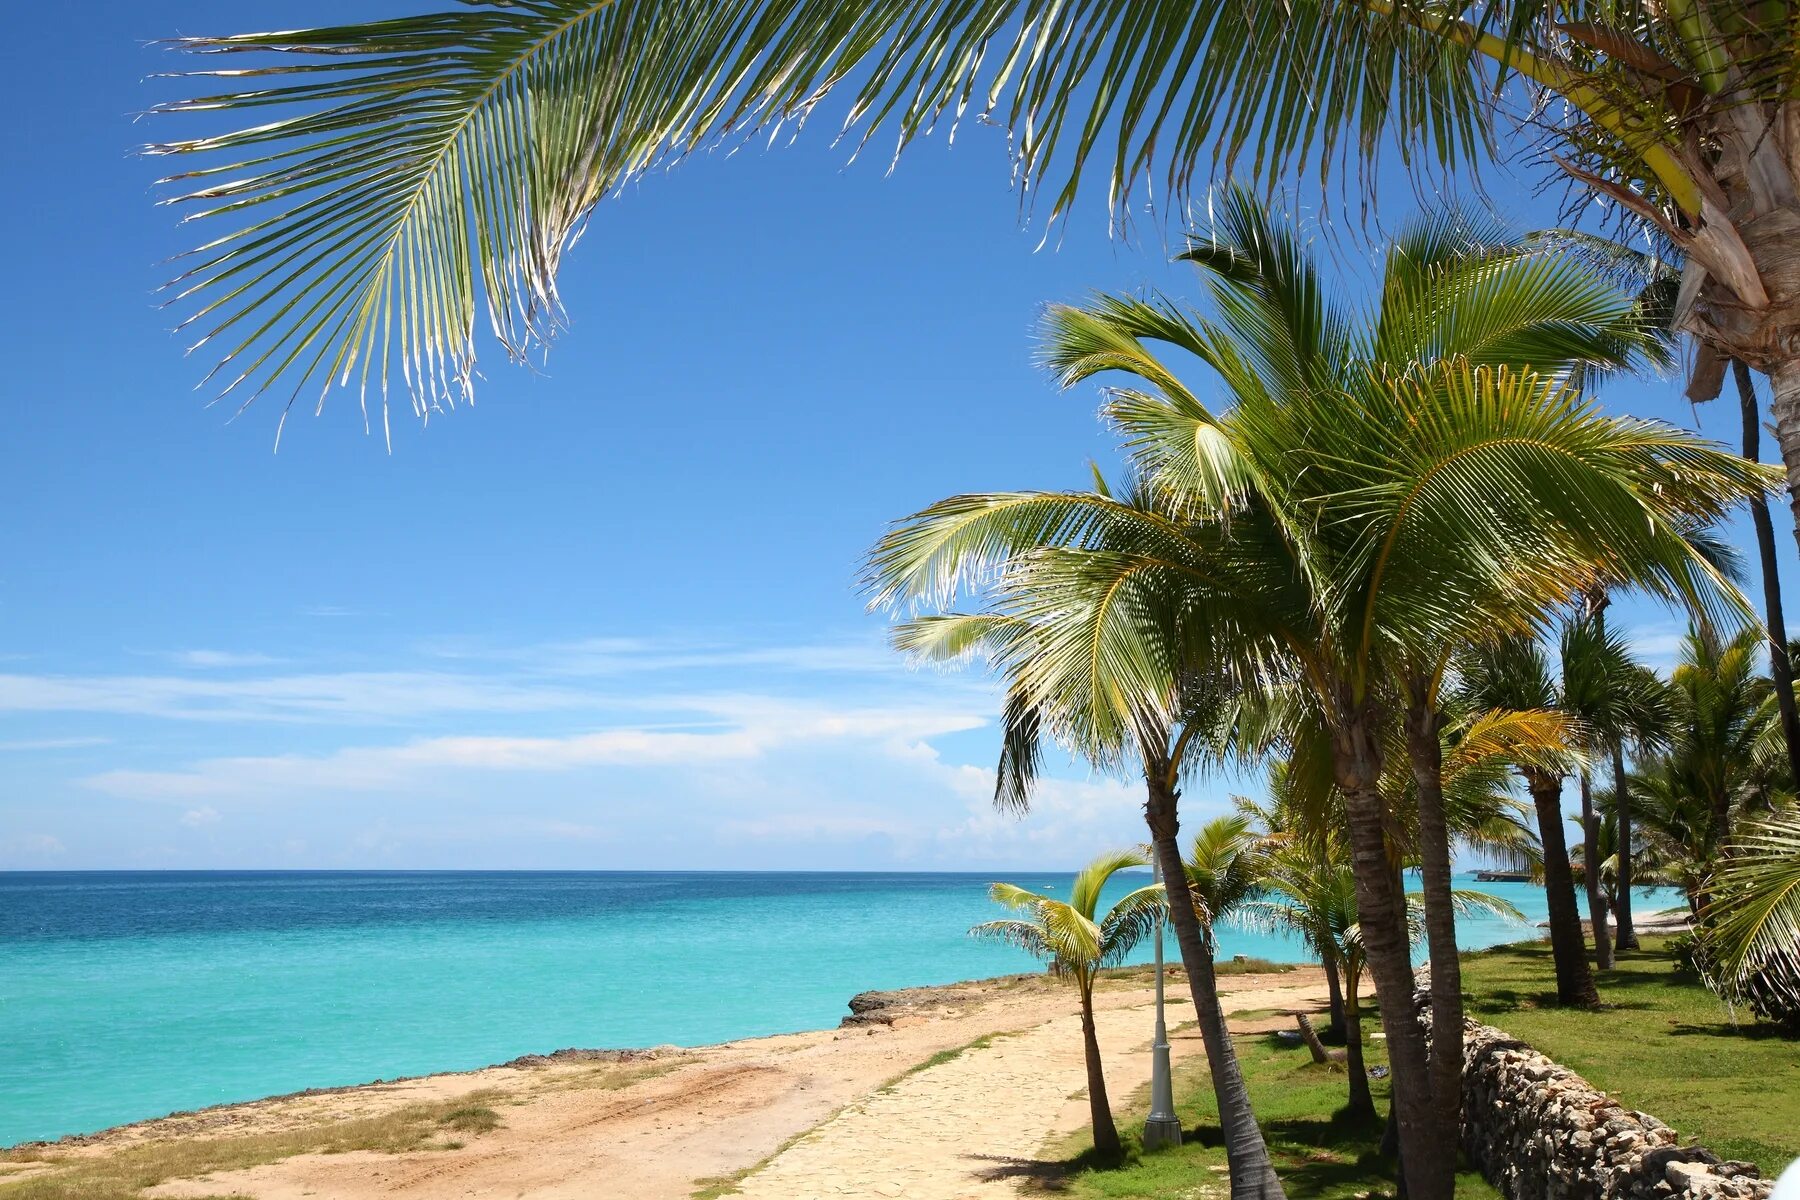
841	1113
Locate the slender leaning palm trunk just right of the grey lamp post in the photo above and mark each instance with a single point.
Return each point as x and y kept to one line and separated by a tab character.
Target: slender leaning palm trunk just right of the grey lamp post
1246	1154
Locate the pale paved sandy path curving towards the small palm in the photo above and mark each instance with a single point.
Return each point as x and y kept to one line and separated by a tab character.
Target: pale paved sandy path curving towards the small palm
973	1127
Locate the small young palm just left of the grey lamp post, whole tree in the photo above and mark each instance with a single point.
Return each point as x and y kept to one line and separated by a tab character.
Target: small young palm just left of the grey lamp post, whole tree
1077	944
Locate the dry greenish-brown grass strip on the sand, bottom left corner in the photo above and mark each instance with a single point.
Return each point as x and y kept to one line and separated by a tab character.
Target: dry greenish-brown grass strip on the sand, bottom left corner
125	1174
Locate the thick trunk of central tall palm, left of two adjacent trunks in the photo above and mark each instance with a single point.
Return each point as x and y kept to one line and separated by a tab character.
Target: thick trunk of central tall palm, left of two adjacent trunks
1428	1163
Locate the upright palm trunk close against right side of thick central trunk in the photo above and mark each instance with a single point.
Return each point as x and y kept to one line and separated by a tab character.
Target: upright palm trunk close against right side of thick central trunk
1425	748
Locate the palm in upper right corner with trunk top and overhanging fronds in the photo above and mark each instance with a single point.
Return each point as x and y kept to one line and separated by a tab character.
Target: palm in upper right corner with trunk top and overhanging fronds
393	183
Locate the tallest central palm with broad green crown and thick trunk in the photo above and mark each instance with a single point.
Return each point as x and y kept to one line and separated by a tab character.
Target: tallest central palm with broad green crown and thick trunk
1376	494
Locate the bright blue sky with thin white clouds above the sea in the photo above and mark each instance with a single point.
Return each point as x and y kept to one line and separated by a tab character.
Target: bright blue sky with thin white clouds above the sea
606	618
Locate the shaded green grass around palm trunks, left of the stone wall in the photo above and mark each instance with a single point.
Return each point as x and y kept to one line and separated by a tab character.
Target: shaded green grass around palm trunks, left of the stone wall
1318	1151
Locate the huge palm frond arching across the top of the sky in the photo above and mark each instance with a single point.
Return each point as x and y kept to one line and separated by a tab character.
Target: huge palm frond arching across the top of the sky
393	184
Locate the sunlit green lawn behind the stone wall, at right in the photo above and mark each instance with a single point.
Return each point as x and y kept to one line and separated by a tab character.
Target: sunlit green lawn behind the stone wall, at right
1662	1044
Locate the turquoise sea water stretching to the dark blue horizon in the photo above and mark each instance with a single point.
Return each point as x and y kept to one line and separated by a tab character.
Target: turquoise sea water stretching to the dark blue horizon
127	996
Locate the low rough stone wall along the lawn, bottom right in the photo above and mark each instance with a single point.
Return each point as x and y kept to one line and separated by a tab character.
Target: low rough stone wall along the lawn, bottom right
1542	1133
